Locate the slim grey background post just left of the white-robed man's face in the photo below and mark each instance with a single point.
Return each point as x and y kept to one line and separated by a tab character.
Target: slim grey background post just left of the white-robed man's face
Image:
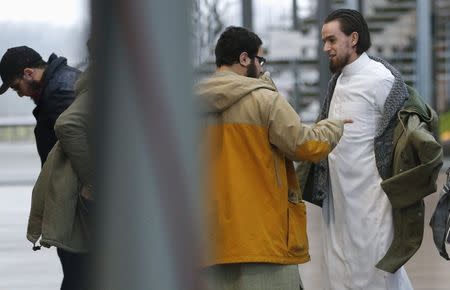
323	9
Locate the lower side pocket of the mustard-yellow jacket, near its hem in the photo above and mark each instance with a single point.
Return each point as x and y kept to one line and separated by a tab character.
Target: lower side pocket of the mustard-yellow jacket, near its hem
297	241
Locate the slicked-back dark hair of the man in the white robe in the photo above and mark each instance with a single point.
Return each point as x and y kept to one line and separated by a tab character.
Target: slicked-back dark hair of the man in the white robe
352	21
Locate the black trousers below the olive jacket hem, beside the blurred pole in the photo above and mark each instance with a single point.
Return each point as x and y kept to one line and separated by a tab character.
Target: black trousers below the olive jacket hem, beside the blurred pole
75	269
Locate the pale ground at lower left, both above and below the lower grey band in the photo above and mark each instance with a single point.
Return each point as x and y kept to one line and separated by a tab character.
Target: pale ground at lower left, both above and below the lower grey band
20	267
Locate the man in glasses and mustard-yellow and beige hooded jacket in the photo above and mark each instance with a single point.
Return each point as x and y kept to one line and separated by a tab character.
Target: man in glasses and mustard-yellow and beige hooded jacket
255	216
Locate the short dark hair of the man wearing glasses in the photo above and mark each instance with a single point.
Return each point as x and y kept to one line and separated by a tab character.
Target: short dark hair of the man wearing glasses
234	41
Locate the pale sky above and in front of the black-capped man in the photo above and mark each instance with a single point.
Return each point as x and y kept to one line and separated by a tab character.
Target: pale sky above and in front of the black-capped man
59	26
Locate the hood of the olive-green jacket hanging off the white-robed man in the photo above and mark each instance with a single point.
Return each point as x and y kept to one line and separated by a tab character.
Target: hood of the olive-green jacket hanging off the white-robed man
415	104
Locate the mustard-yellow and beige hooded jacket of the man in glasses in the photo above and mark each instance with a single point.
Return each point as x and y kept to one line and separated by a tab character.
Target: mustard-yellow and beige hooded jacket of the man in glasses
250	129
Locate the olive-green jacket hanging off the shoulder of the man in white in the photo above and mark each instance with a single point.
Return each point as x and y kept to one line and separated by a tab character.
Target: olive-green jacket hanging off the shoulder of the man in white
417	159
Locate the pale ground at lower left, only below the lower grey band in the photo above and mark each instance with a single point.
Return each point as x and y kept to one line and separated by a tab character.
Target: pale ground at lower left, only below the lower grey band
20	267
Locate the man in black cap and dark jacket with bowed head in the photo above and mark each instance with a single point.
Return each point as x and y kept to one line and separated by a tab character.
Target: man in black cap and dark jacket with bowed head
49	84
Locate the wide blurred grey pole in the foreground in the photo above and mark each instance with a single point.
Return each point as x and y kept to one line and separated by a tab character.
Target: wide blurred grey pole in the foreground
148	233
